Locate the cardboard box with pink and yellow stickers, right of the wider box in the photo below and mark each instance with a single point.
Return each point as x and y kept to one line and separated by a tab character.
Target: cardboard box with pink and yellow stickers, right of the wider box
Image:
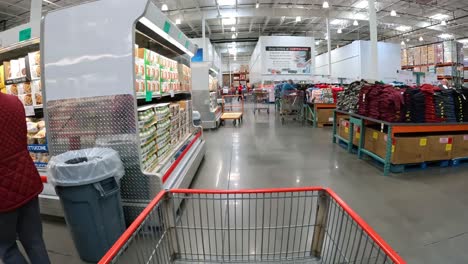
439	148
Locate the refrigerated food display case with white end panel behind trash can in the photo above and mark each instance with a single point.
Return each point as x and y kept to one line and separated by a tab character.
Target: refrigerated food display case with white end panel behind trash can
132	96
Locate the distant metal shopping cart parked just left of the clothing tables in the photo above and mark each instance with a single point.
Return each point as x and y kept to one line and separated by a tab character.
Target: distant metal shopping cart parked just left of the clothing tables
292	105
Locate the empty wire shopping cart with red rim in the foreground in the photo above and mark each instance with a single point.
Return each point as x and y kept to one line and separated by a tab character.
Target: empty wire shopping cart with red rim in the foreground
296	225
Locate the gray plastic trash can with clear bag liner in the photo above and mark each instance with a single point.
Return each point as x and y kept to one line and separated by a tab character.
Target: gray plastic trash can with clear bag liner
87	182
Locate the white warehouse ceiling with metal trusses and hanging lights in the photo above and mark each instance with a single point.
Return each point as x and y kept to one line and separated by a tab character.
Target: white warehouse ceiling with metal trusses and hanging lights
414	19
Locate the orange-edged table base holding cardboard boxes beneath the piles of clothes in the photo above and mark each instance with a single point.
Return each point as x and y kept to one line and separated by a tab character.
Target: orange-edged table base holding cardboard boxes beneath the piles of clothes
410	144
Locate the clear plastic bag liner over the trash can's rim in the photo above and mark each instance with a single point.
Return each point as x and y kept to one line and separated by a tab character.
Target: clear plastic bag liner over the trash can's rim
85	166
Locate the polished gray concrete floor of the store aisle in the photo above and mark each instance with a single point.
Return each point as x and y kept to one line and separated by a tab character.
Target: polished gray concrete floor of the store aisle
423	214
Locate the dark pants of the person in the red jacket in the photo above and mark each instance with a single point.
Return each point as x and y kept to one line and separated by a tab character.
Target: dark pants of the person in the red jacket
24	222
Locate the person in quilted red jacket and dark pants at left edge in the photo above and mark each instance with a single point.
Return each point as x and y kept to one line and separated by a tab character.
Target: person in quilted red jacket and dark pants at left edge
20	185
